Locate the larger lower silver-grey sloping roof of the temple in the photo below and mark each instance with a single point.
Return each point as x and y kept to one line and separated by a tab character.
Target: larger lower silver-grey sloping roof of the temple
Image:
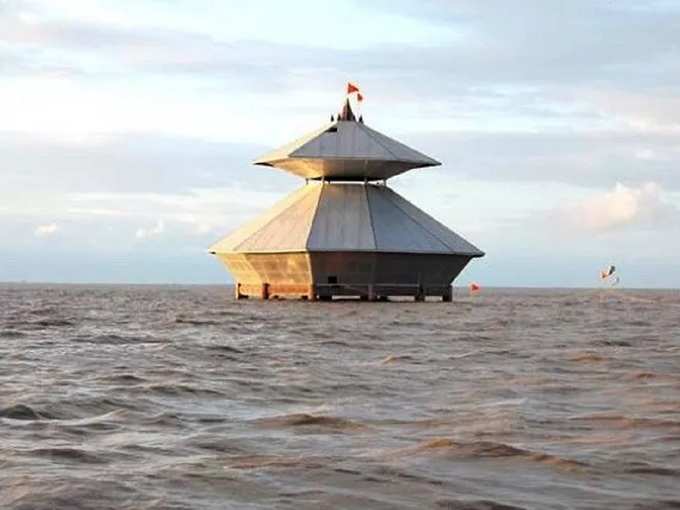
345	217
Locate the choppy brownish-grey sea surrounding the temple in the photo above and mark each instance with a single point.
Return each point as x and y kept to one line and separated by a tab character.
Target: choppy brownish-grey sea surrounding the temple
180	397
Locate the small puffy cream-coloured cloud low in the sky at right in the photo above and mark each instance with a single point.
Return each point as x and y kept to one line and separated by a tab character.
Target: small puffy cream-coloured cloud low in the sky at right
623	206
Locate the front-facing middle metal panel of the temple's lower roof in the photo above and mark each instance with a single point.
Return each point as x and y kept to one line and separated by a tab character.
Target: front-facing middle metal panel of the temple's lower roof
343	220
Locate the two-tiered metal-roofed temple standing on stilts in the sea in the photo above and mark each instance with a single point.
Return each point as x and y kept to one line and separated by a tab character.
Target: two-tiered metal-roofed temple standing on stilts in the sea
345	232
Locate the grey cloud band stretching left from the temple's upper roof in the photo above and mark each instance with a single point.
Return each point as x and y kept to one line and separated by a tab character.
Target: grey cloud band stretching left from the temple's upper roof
129	162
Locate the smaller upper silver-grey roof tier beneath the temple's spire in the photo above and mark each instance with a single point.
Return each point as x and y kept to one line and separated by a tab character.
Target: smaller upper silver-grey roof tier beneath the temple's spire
348	151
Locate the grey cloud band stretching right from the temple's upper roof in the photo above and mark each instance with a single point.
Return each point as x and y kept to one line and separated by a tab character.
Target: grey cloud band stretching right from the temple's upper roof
583	159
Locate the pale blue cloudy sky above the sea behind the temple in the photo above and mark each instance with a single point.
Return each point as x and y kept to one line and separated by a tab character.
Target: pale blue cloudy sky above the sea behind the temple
128	128
